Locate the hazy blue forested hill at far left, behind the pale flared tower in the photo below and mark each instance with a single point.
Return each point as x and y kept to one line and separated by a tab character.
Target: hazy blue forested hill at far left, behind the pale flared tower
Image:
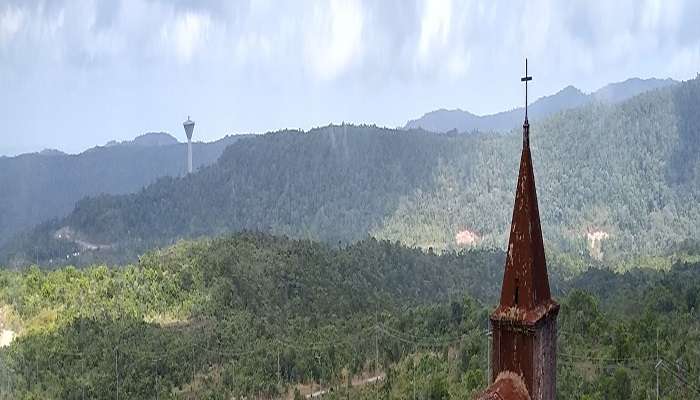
40	186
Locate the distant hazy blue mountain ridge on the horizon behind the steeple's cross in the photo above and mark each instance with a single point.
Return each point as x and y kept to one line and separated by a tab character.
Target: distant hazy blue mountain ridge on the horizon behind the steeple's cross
567	98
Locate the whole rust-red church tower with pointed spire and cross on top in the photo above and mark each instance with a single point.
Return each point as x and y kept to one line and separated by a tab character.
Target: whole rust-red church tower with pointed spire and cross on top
524	332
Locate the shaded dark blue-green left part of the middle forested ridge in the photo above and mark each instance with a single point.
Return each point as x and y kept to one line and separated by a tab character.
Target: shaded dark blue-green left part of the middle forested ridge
335	183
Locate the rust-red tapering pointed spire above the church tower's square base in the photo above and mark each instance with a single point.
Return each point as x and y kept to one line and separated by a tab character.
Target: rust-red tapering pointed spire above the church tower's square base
525	282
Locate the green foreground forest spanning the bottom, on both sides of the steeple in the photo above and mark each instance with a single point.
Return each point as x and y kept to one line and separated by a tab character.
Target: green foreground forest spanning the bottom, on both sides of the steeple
252	315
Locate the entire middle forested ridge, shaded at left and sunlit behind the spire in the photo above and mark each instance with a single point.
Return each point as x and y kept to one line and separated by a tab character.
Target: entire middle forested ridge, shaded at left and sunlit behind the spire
611	179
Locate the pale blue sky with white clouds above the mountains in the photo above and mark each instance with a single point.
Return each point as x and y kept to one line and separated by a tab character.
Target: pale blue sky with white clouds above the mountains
79	73
